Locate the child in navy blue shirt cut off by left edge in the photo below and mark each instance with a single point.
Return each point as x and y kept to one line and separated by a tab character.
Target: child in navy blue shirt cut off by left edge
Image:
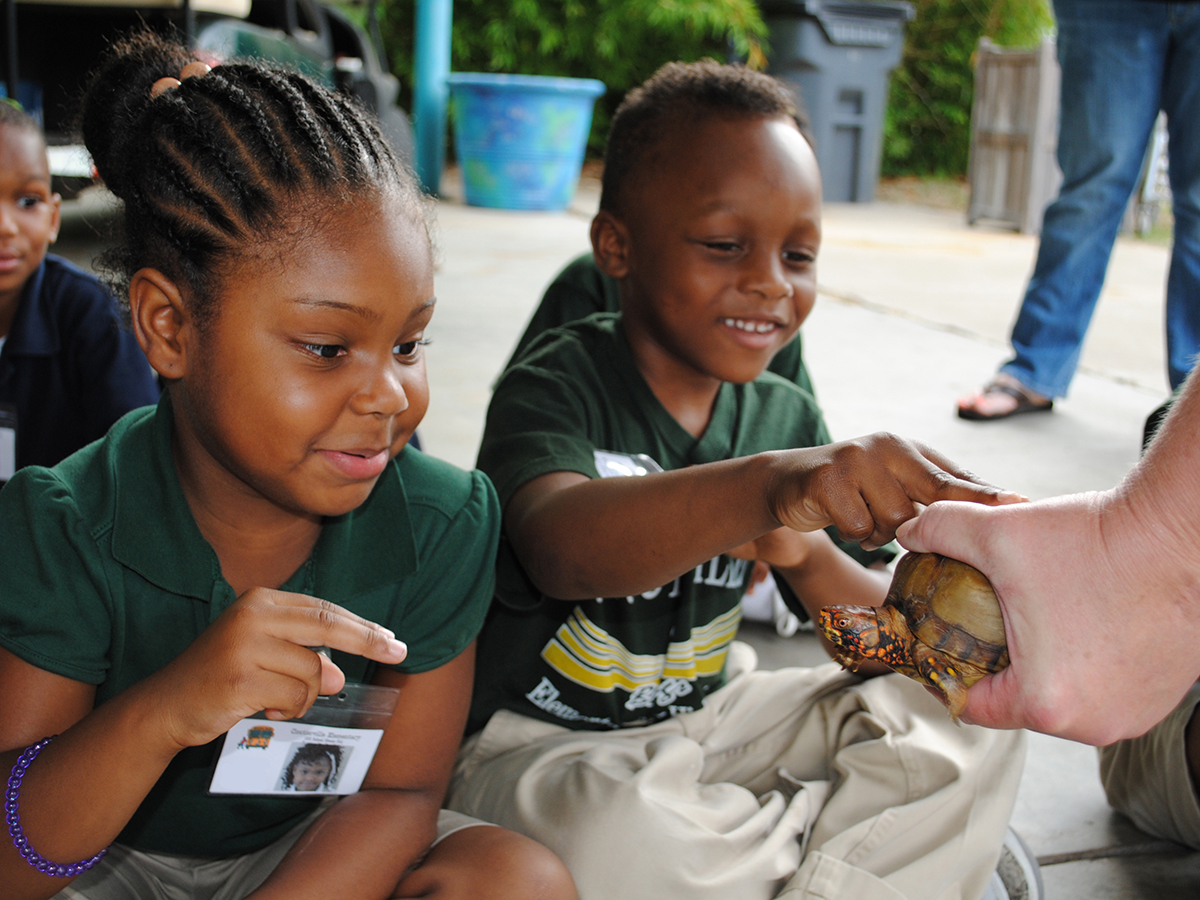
68	369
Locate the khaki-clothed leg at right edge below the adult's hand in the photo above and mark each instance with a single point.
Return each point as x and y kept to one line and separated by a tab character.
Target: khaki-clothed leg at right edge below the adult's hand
1148	778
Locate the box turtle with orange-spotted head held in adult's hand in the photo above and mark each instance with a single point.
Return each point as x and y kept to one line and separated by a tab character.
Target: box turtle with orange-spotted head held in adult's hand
940	625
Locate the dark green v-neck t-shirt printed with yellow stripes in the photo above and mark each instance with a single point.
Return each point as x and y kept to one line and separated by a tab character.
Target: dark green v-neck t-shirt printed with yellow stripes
577	403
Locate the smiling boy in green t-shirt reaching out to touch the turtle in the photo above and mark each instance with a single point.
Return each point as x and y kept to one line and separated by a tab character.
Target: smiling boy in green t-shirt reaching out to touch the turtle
641	460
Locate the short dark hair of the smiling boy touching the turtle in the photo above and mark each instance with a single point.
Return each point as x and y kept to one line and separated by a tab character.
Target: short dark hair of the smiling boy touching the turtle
677	97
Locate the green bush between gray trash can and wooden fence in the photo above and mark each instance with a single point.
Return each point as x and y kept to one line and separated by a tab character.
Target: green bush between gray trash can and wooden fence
928	128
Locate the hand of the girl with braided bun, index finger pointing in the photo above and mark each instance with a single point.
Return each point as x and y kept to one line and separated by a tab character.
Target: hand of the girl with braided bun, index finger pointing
257	656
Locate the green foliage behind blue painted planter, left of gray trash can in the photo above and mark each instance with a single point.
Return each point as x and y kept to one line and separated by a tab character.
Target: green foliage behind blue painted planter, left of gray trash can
621	43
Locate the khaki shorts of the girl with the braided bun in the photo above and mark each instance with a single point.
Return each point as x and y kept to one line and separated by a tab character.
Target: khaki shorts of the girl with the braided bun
127	874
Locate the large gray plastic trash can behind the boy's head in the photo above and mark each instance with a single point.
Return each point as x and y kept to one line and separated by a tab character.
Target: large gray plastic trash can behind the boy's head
837	55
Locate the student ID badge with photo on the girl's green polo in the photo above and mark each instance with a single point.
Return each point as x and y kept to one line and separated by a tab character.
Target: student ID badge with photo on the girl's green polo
326	752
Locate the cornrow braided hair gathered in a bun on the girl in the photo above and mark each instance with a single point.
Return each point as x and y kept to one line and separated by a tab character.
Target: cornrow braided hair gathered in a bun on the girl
226	163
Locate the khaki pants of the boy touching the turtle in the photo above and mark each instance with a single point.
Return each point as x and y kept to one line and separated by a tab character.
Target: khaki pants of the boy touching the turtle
803	783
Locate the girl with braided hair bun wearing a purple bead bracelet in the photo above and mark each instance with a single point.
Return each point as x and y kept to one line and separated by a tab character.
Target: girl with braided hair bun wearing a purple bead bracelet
173	579
